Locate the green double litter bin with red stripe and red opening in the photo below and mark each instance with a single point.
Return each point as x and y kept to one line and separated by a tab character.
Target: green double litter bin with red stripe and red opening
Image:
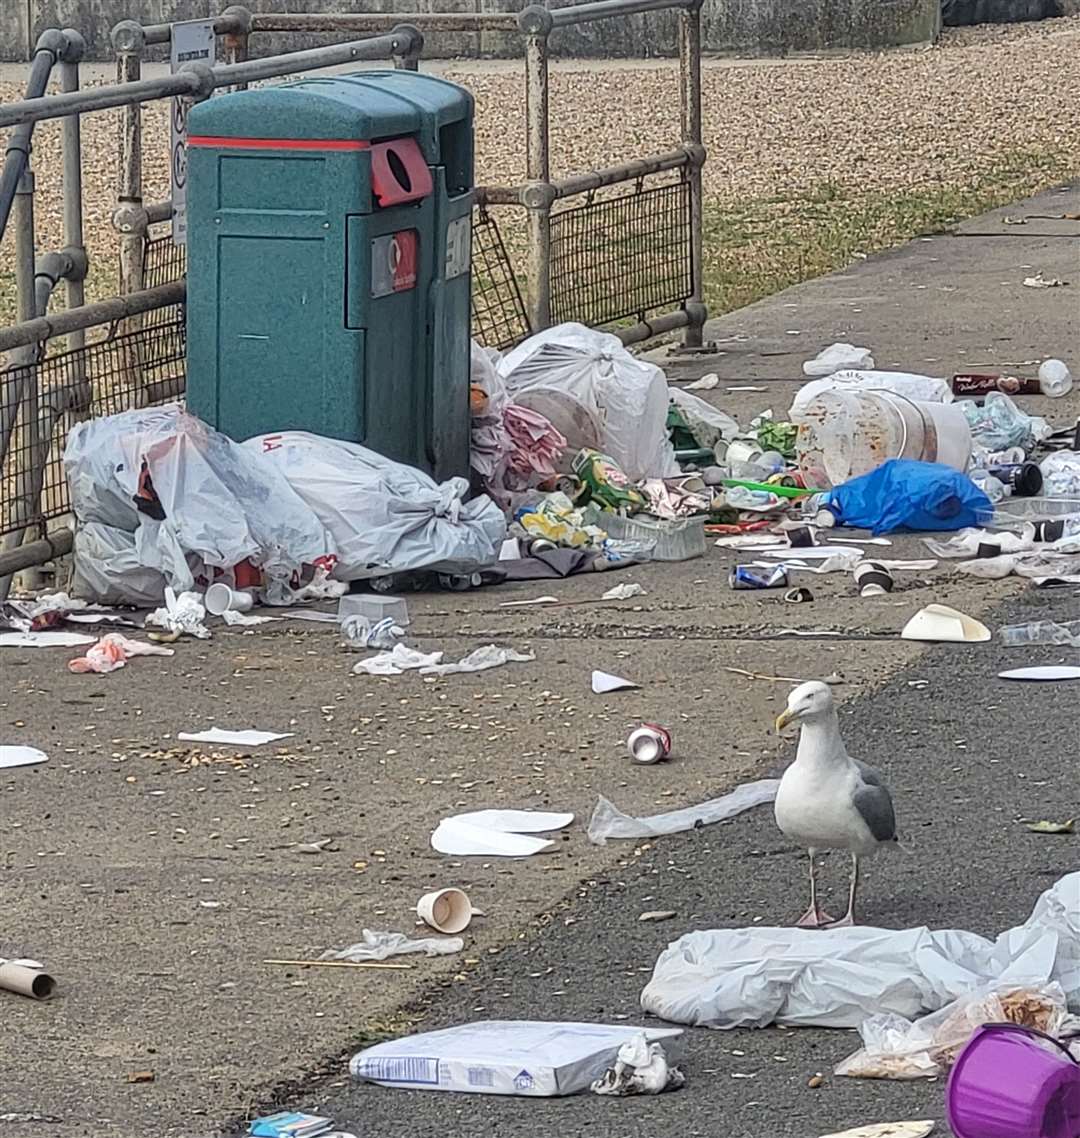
329	236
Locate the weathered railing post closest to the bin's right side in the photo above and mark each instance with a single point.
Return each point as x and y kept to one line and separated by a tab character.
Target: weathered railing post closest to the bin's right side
537	26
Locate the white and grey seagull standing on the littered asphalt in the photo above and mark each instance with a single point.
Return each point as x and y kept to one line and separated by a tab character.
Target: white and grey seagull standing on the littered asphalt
828	801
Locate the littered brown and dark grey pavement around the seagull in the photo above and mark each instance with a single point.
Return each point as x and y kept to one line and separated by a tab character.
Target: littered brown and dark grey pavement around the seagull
155	877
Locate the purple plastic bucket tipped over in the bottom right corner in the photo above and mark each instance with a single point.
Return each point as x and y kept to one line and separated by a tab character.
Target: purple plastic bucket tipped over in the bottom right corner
1008	1084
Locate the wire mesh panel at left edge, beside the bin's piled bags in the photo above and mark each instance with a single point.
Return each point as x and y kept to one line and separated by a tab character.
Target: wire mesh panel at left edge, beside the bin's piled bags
126	370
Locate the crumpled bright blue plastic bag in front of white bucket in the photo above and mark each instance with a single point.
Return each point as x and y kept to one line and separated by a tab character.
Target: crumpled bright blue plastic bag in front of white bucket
908	496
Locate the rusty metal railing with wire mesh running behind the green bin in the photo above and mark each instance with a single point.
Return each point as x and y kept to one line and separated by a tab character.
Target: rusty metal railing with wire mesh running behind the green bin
614	246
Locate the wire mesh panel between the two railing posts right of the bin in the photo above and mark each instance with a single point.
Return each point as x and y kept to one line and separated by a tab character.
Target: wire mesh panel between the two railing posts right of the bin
623	257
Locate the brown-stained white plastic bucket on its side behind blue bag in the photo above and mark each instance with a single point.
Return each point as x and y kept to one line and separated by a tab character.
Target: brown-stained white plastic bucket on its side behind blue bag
847	434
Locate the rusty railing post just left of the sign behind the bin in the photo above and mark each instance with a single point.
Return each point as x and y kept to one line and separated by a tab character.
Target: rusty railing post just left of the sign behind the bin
130	219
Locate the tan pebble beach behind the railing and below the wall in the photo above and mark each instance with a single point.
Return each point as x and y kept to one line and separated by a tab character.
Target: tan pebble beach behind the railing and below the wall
867	123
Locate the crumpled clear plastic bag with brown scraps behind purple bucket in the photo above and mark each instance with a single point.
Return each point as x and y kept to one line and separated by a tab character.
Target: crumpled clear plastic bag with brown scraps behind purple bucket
894	1048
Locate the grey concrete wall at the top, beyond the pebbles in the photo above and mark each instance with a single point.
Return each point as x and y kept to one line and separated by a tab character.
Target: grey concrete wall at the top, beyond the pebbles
745	27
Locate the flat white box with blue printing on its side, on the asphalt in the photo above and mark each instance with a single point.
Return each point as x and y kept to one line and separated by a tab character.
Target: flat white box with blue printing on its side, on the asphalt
502	1057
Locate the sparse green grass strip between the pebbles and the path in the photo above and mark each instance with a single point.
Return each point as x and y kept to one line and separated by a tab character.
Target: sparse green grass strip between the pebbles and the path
761	248
